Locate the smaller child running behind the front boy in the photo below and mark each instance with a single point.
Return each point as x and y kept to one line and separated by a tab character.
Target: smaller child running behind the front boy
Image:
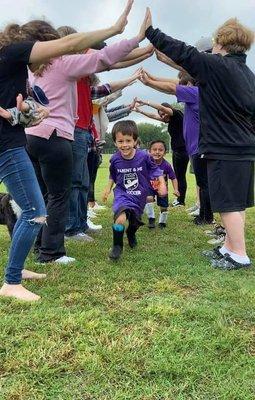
157	150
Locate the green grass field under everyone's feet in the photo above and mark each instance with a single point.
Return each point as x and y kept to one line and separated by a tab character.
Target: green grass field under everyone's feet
161	324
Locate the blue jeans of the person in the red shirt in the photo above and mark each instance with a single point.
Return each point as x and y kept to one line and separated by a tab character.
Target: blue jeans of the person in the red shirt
77	219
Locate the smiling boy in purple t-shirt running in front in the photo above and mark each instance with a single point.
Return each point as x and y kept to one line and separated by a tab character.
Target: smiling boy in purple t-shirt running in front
131	170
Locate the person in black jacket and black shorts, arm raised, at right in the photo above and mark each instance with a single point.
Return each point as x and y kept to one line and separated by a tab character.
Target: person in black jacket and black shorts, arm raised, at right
227	137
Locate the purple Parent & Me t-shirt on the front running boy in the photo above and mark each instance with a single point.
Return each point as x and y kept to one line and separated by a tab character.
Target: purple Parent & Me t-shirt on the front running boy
132	179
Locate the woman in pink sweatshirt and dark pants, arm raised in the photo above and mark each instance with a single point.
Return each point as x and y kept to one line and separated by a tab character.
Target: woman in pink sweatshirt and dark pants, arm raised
49	144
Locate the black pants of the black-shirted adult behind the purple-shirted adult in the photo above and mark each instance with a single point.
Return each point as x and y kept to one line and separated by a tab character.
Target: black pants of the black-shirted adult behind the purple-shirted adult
180	164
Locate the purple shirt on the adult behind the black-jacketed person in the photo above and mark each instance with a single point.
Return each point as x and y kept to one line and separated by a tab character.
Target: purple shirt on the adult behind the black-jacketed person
190	96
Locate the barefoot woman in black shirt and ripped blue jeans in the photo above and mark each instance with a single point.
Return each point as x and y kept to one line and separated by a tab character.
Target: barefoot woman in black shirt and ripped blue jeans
16	170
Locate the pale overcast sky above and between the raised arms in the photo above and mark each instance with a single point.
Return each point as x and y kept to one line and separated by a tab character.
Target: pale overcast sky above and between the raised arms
184	19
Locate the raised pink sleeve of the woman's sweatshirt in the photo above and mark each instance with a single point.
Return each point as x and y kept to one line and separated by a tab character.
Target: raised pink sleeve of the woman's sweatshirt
80	65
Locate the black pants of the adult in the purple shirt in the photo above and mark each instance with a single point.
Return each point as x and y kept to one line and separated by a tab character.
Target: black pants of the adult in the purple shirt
200	170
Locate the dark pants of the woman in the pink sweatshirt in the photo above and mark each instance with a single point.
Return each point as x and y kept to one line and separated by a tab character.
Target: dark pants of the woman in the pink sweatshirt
52	160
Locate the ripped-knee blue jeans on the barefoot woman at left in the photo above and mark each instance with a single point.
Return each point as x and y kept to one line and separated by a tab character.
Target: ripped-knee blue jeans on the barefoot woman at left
18	175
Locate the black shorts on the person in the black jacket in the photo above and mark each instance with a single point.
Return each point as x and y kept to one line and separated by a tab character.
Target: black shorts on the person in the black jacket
231	185
